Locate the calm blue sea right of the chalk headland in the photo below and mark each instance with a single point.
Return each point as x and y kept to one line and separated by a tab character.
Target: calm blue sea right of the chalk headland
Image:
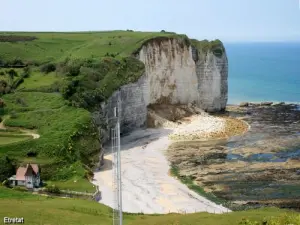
263	72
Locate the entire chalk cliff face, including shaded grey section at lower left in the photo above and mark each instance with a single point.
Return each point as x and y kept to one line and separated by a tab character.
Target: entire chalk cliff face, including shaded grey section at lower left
175	73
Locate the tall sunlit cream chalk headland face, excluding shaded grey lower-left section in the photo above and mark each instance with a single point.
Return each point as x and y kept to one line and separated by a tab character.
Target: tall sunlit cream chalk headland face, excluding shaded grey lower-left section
178	73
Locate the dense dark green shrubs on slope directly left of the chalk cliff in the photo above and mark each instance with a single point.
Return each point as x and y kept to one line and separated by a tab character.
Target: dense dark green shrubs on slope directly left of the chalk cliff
91	82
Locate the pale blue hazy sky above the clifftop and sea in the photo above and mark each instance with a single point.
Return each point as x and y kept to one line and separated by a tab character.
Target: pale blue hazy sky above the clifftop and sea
228	20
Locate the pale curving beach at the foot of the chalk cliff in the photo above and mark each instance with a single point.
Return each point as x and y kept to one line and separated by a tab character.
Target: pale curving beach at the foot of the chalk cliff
146	185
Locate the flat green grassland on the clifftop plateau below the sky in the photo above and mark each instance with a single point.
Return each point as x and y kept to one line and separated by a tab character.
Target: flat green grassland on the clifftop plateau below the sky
45	47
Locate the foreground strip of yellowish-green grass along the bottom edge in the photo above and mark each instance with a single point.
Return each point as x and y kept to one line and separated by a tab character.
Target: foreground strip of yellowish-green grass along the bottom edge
58	211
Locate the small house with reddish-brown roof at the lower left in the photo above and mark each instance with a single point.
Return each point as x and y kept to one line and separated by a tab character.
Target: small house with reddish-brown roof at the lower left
28	176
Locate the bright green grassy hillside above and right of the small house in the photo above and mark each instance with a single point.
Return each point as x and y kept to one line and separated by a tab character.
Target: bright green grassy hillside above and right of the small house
66	136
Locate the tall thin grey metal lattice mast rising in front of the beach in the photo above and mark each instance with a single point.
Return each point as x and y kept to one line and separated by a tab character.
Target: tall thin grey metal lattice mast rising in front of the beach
116	166
